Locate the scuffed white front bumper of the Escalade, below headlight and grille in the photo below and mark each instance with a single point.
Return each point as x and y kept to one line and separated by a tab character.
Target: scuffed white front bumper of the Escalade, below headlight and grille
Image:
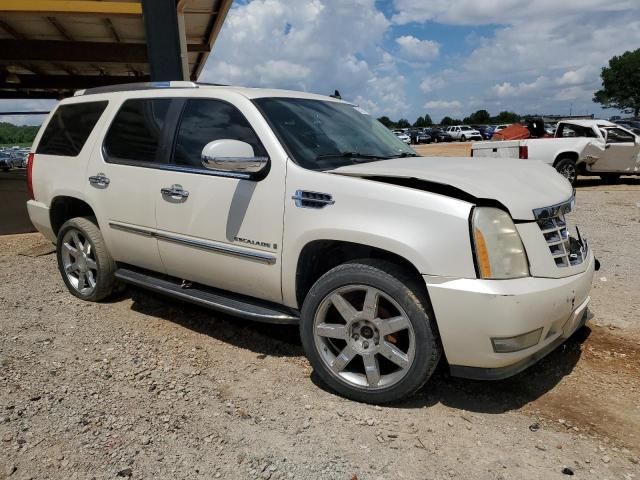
472	312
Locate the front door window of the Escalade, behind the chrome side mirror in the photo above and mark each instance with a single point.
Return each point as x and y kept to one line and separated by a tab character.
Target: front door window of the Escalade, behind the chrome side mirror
206	120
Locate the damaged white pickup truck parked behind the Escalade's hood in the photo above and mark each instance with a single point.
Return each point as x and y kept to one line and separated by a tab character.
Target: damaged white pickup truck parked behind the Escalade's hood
580	147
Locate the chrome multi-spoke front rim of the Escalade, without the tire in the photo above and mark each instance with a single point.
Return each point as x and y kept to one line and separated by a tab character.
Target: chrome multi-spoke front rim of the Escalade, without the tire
364	337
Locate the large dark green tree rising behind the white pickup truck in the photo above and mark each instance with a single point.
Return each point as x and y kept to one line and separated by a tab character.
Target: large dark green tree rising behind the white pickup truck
621	83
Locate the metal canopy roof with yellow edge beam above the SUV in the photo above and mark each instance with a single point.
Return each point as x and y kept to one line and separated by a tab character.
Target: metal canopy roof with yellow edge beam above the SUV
50	48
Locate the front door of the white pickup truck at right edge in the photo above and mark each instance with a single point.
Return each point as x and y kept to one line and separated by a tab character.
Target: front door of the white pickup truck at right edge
620	154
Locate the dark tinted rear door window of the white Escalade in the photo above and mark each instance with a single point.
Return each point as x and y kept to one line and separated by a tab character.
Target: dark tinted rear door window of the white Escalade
136	130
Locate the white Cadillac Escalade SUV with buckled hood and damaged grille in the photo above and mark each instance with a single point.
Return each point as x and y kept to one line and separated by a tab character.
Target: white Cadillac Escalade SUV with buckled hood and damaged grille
288	207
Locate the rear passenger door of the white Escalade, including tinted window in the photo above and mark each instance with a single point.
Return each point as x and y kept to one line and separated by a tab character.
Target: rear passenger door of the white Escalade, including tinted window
123	179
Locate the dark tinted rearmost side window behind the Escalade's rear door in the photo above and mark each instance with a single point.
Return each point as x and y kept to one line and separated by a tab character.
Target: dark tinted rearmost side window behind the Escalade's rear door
69	128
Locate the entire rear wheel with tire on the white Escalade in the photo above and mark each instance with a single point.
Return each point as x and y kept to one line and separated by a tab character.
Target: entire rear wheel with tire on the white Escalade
84	262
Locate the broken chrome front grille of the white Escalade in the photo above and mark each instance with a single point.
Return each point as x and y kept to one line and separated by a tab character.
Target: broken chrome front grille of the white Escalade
565	249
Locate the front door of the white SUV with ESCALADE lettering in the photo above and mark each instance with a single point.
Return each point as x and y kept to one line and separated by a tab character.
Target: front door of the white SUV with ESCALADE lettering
218	230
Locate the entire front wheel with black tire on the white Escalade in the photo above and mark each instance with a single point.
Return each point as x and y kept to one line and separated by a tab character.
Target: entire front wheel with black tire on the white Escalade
369	331
